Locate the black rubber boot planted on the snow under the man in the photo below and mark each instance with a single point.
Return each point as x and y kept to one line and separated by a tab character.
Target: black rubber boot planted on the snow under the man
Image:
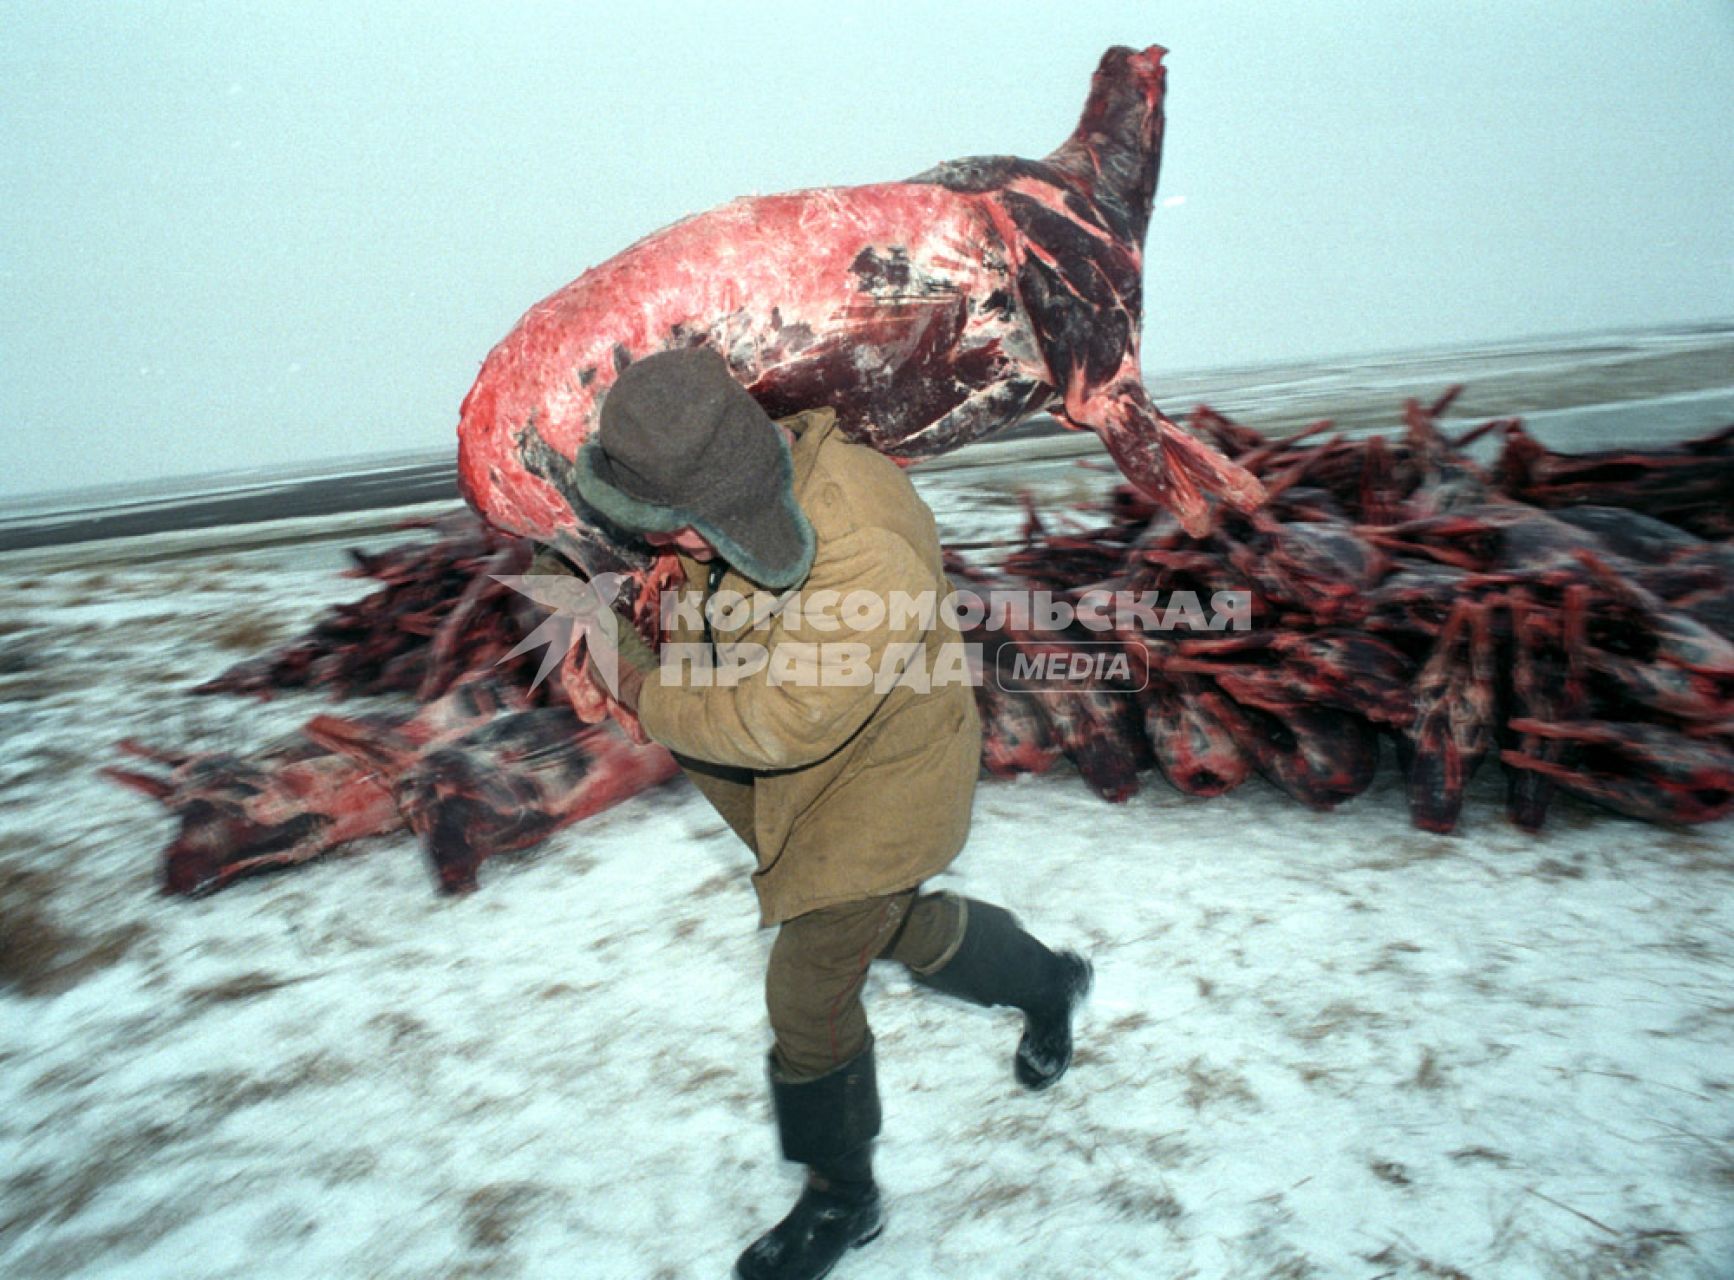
828	1125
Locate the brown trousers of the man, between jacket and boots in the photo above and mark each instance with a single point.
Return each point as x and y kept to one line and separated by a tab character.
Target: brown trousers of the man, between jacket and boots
819	967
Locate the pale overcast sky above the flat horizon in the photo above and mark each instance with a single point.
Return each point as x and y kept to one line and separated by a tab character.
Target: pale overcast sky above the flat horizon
254	235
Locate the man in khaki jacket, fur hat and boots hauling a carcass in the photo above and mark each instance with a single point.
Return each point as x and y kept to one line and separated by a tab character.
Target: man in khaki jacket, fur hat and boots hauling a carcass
849	793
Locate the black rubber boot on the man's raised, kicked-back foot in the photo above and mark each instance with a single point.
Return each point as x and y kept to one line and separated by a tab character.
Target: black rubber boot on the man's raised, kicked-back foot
998	963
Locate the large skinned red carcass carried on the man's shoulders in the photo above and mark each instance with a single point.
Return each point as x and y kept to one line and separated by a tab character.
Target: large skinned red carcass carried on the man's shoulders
927	313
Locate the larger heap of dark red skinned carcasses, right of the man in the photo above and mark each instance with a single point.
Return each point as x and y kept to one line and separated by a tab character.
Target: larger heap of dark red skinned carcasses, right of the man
1568	617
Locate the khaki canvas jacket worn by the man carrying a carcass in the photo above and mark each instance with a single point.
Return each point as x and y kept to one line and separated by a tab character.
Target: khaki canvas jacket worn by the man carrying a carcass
842	790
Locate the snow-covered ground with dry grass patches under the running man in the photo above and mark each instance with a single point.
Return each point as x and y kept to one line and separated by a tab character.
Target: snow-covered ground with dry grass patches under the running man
1319	1045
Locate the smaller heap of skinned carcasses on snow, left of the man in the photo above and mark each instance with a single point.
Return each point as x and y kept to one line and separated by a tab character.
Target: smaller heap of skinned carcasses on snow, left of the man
479	759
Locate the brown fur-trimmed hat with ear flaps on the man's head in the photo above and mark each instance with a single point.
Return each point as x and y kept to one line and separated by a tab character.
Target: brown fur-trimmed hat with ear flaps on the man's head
682	443
